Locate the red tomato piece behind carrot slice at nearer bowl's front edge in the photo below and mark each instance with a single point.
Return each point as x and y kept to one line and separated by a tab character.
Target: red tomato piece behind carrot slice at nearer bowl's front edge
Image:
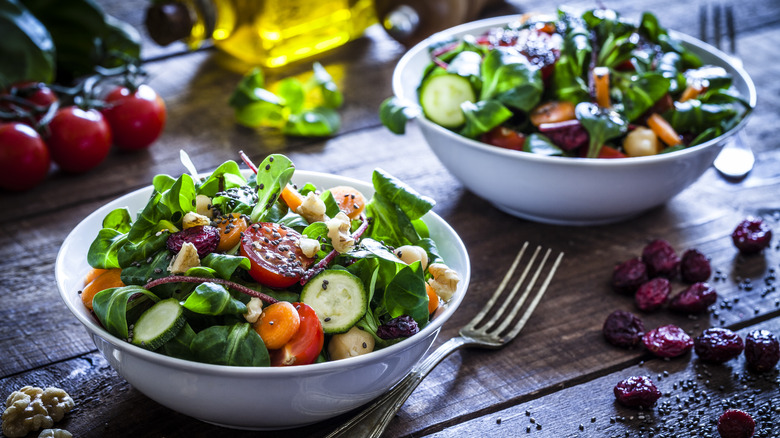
305	345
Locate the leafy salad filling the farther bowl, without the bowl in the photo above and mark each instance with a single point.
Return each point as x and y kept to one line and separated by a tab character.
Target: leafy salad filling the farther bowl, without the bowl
592	85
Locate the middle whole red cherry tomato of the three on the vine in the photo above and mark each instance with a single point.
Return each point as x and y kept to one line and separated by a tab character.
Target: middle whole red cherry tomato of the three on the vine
78	139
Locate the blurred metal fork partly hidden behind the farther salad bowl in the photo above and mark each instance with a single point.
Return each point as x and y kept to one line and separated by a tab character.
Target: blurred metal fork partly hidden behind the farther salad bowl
735	159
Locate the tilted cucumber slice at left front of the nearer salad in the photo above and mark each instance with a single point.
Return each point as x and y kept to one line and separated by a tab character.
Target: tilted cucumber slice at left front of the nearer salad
158	324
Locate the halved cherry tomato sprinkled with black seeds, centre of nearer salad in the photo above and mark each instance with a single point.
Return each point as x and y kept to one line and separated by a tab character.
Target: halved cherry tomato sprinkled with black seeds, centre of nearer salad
275	255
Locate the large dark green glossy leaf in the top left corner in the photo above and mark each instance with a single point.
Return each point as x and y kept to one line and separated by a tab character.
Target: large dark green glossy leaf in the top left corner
28	43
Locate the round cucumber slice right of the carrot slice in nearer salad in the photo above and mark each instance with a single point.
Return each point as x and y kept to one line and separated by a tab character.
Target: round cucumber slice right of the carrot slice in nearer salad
338	298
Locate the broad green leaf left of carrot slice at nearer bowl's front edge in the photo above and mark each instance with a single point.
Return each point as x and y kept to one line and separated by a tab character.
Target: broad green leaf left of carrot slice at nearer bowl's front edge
235	345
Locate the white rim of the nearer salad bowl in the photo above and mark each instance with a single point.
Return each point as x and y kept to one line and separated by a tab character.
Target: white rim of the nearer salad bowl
95	329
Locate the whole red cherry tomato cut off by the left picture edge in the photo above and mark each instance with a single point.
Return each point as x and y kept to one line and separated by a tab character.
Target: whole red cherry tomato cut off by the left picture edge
24	157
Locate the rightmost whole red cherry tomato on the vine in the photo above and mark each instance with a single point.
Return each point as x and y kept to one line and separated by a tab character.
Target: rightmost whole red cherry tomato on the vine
136	119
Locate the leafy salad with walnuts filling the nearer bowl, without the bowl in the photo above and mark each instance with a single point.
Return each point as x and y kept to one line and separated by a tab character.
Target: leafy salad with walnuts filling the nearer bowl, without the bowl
258	272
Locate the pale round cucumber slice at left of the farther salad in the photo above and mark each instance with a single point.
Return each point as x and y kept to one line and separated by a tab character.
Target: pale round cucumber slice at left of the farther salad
441	96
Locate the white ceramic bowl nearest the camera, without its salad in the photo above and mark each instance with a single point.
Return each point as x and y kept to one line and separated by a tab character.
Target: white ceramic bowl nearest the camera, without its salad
254	397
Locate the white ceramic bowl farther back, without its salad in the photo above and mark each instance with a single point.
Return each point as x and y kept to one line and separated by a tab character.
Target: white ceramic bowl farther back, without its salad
563	190
